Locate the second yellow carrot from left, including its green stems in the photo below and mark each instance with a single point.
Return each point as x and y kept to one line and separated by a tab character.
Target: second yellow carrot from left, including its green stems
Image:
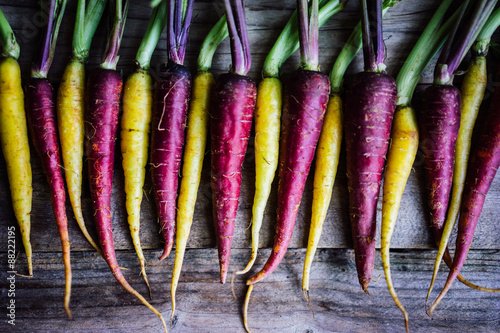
70	106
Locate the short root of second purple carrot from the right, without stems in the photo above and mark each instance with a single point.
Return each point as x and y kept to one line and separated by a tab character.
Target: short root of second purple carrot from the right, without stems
439	125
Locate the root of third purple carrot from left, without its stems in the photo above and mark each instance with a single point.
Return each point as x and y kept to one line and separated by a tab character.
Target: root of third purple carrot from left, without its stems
170	105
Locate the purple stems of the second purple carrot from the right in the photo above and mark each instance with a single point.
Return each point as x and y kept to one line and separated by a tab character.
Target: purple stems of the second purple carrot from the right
460	40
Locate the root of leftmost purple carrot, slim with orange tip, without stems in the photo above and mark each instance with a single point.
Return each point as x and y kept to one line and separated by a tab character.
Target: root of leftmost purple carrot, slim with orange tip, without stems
42	122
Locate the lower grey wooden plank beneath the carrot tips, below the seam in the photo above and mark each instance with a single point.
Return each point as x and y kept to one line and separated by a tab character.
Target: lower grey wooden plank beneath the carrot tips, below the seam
99	304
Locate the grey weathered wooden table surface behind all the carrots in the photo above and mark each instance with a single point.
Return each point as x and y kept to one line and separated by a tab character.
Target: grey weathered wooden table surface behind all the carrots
99	304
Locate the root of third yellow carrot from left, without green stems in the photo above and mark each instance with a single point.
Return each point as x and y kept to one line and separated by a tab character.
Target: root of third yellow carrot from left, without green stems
137	105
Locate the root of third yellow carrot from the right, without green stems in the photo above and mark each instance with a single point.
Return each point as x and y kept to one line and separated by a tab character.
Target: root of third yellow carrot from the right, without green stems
327	158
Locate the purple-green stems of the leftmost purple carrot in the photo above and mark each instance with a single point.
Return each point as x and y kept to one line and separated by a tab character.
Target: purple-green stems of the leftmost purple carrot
45	52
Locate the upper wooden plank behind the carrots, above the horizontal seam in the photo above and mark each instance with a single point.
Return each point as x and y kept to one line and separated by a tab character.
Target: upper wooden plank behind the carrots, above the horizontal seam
402	25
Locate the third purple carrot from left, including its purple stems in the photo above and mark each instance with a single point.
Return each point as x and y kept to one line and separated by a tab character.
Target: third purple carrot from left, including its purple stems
171	97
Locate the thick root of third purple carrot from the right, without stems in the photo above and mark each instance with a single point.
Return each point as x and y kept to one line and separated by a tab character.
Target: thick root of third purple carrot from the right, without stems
370	104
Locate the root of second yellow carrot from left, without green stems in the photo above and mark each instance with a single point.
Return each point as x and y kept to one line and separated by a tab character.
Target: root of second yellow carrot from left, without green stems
70	108
